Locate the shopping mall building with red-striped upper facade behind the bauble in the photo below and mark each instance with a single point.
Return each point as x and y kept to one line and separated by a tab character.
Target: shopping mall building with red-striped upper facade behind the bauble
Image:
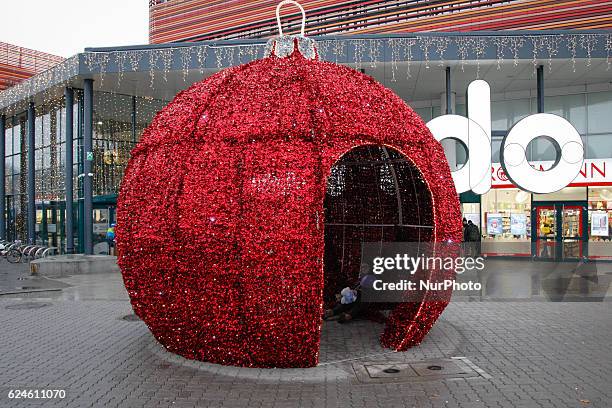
69	131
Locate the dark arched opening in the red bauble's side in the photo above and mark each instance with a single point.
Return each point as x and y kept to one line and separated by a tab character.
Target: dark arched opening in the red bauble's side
374	194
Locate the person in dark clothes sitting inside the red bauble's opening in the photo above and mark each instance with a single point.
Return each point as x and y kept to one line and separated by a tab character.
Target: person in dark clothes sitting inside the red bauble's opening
350	301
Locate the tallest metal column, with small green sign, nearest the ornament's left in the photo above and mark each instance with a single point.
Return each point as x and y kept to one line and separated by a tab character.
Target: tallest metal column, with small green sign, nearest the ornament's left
87	166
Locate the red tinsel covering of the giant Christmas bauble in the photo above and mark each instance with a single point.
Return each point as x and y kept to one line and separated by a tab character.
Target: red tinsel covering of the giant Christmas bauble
221	213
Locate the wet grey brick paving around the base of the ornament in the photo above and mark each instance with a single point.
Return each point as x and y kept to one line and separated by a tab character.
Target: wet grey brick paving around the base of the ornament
537	354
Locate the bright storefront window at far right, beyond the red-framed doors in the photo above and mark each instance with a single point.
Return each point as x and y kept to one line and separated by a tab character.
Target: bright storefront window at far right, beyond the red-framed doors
600	222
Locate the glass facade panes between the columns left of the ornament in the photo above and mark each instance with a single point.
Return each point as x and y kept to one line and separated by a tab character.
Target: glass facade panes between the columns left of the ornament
118	123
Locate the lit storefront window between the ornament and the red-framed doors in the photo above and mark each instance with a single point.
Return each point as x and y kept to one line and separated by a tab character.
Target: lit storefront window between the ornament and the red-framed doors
506	222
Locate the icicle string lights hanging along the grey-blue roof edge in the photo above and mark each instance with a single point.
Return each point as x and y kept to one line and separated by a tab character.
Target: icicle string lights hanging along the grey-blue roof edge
344	50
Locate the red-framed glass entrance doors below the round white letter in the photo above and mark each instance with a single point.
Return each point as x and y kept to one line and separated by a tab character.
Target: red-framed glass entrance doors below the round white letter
559	230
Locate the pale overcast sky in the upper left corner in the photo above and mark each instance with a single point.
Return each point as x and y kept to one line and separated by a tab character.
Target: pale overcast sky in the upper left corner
66	27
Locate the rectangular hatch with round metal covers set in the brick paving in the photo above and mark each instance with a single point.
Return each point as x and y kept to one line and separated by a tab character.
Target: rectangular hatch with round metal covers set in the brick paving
442	369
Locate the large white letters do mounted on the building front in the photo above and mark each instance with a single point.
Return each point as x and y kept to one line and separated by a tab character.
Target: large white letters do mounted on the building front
475	132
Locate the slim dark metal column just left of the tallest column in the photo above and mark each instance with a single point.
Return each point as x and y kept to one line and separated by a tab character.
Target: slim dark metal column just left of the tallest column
69	221
